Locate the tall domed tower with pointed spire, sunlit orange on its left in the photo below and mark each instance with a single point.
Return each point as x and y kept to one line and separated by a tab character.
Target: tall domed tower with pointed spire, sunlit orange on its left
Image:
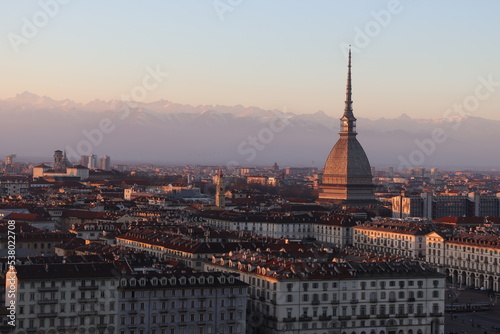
347	177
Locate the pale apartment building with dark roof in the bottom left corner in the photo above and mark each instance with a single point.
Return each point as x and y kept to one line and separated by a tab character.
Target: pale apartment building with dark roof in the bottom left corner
62	304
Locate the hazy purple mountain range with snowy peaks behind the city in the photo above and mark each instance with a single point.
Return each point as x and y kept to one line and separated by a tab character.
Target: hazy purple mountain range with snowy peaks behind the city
170	133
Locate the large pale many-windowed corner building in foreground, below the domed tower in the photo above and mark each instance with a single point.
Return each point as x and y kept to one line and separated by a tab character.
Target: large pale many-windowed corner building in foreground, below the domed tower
401	302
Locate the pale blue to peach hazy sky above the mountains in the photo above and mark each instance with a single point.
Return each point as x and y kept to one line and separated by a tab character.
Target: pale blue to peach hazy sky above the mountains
421	59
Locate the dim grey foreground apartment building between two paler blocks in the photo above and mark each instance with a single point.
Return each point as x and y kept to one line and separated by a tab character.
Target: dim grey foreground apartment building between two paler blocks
194	303
